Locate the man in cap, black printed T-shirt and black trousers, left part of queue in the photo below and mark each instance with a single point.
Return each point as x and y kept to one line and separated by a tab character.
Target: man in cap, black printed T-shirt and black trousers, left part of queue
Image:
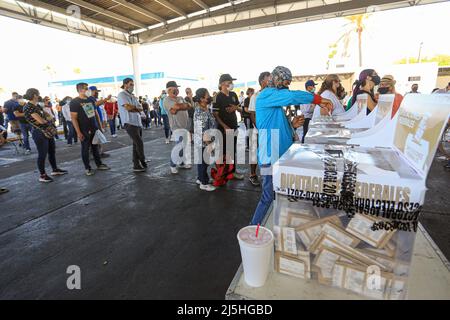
85	120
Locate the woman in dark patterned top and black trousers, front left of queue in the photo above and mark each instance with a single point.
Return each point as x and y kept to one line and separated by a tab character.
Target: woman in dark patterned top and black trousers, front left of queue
43	133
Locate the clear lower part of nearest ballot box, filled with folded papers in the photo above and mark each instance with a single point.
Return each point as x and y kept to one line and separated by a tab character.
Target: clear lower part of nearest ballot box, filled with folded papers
335	249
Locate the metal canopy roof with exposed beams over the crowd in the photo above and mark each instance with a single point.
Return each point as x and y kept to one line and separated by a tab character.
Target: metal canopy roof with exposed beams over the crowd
147	21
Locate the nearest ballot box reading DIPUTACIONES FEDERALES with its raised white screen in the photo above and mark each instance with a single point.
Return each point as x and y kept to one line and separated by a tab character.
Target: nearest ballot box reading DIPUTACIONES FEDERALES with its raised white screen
347	216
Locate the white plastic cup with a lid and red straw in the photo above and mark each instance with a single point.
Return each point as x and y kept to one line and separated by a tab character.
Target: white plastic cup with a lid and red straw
256	254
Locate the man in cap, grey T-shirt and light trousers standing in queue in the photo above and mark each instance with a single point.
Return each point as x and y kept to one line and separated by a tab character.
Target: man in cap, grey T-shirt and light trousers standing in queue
177	109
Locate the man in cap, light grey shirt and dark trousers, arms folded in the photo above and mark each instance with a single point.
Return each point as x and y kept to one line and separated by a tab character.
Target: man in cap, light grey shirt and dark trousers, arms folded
130	115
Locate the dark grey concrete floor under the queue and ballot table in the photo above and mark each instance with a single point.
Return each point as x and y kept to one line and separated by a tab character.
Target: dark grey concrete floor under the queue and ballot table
146	236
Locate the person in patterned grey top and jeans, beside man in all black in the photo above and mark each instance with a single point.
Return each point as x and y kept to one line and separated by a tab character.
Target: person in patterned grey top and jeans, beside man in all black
203	121
